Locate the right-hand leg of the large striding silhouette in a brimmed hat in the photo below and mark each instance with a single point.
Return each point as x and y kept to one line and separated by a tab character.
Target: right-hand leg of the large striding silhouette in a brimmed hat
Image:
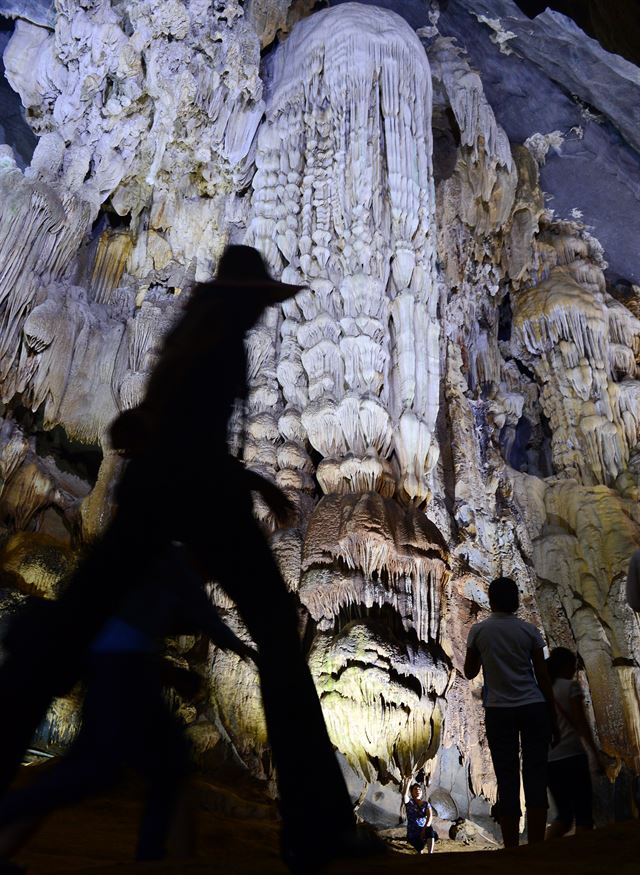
297	732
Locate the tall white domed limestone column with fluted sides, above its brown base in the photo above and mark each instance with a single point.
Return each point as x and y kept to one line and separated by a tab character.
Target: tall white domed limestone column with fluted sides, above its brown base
343	197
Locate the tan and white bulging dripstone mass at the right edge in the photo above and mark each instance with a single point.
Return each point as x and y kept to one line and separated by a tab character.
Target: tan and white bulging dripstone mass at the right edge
583	346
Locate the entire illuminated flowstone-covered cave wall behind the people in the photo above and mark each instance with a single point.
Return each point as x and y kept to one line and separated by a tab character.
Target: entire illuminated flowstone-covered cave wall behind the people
454	395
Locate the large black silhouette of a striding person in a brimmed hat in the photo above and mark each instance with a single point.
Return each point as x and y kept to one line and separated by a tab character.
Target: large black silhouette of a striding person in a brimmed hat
182	484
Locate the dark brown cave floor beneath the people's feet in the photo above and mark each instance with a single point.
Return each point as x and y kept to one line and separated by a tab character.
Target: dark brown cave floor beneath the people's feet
239	835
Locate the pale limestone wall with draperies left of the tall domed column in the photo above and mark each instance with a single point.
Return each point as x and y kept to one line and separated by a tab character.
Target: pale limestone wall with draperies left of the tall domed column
146	110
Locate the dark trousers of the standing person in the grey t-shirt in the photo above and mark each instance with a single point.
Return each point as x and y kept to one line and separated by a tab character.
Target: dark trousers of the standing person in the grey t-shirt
508	729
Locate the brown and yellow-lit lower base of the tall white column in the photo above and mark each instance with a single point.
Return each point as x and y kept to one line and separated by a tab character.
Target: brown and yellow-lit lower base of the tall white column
374	580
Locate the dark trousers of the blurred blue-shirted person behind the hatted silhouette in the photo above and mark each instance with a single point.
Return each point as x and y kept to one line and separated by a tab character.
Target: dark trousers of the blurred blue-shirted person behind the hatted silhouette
125	721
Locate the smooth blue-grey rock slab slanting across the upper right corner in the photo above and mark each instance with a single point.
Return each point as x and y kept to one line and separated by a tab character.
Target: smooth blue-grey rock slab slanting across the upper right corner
590	169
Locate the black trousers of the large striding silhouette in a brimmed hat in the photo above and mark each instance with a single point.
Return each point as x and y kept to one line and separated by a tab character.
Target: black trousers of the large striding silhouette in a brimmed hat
189	497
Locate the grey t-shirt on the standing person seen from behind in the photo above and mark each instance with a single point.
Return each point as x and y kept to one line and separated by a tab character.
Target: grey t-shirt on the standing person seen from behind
506	644
